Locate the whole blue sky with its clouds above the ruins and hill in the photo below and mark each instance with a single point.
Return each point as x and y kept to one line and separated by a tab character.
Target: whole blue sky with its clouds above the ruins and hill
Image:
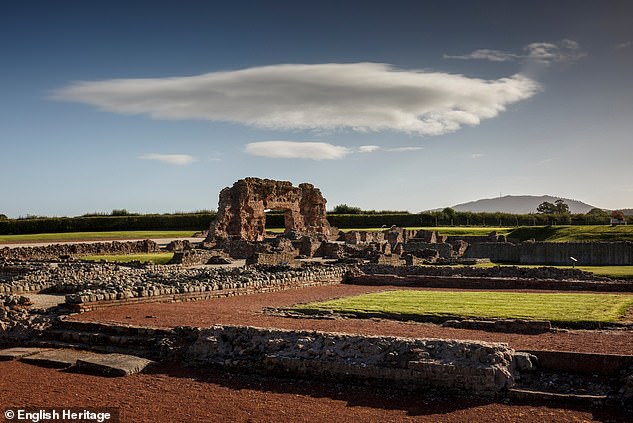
408	105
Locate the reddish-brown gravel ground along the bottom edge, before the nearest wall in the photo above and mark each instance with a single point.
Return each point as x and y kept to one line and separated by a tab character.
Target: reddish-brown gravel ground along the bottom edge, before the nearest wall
170	393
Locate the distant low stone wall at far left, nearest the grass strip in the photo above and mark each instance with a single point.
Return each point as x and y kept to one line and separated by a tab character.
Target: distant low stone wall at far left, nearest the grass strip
55	251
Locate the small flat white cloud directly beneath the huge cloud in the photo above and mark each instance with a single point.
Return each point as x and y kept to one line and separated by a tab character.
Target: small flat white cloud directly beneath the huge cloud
297	150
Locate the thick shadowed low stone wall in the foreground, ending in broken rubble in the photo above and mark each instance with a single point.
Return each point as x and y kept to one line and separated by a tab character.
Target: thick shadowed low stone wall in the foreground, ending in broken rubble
461	366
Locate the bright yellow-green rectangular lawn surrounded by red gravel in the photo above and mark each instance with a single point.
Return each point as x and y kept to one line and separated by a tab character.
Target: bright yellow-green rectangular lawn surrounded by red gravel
561	309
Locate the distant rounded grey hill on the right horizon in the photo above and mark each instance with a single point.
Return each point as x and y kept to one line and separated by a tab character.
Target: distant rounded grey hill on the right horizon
519	204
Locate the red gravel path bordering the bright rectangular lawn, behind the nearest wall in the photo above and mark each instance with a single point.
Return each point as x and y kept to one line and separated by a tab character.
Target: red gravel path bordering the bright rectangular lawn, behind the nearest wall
247	310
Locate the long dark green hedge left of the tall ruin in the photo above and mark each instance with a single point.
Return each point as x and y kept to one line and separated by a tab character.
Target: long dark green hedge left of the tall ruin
193	221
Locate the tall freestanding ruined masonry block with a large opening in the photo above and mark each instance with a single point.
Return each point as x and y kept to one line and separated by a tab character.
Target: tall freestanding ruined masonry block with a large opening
241	210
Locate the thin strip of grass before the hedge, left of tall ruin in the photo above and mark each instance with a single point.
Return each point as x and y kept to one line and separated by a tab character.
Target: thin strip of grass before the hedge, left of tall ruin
86	236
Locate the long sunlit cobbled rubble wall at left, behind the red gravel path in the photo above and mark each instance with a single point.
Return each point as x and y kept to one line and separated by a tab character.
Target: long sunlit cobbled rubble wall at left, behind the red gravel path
84	282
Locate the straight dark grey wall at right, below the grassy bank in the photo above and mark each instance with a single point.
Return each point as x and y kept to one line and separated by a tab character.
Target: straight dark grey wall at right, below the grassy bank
556	253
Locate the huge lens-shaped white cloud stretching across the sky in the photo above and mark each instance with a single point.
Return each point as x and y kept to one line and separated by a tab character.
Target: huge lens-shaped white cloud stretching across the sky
356	96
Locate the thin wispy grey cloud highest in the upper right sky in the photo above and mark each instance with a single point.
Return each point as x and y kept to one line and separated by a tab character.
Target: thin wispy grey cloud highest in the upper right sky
564	51
